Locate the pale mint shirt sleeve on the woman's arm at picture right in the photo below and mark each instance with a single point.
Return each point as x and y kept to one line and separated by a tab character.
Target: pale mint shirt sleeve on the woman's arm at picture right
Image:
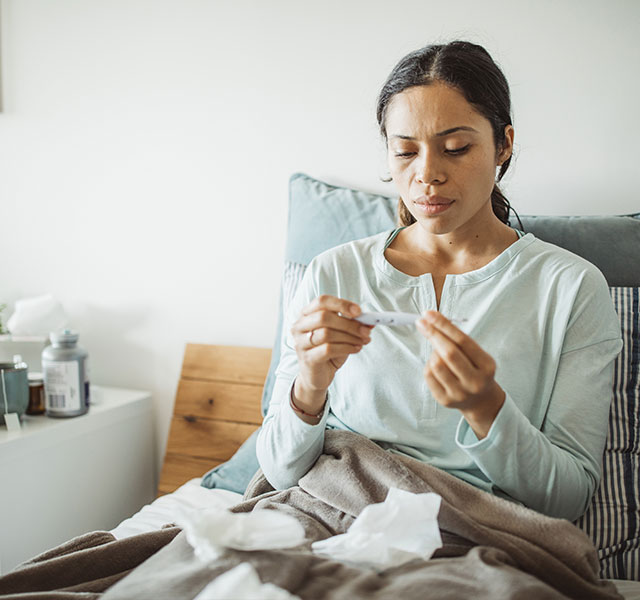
556	469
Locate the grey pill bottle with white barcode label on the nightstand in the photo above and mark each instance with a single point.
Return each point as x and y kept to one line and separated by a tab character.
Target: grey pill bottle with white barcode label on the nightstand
66	375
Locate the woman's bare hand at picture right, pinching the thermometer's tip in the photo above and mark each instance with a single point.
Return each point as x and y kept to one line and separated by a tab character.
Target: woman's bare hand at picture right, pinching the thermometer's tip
460	374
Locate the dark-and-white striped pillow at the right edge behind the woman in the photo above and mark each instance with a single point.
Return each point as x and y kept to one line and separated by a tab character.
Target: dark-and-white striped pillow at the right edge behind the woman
613	518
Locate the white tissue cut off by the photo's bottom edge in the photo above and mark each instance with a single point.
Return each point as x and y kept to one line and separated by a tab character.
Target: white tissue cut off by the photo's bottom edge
243	583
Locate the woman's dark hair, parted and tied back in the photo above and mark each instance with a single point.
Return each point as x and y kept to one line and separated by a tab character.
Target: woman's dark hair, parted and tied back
470	69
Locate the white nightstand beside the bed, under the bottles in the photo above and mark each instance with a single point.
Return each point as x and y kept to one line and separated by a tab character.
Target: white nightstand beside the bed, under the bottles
60	478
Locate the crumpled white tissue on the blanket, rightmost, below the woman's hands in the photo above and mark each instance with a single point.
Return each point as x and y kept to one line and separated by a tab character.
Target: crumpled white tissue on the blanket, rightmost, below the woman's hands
390	533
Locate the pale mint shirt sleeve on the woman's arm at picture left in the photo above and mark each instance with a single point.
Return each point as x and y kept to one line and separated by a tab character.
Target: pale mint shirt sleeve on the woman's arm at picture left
287	447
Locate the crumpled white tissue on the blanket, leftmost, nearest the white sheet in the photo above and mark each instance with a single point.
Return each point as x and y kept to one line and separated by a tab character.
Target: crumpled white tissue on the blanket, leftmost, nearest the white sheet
212	531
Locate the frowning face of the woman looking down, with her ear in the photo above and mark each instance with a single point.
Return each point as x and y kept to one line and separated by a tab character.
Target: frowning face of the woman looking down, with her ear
442	157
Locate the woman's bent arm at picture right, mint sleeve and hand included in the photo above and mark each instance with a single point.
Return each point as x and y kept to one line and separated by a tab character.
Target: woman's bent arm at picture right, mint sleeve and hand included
554	469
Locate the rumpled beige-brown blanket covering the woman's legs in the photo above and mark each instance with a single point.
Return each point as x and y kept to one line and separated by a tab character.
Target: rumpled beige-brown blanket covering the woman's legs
492	548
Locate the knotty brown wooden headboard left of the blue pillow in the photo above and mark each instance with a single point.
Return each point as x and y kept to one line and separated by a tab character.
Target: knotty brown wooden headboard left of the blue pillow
217	408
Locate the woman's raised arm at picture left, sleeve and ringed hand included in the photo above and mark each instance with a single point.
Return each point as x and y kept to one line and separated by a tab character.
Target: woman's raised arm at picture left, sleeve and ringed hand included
316	345
